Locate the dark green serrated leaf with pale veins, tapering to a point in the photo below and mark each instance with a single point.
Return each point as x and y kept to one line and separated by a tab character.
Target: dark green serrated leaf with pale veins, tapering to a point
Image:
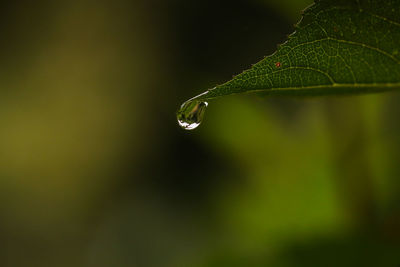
339	47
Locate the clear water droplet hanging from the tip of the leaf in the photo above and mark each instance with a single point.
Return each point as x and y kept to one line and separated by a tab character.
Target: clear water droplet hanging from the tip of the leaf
191	114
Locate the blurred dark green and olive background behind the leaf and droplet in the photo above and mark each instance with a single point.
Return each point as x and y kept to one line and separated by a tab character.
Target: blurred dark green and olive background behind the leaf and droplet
94	170
